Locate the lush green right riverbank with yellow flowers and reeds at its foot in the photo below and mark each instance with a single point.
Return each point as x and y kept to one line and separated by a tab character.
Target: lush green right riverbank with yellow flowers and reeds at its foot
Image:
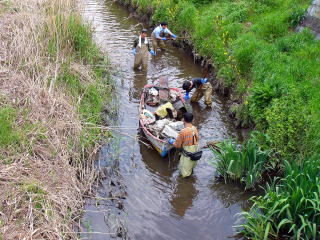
273	73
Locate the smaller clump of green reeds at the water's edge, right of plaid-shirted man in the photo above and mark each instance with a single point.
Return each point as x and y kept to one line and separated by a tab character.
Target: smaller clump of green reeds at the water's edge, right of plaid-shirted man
244	163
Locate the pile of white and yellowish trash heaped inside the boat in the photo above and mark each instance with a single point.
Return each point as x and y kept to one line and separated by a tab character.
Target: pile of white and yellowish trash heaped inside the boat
163	111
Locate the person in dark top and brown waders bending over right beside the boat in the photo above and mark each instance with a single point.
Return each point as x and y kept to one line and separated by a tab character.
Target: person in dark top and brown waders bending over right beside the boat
203	88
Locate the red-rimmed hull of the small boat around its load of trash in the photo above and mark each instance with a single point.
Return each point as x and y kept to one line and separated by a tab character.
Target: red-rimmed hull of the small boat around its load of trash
160	145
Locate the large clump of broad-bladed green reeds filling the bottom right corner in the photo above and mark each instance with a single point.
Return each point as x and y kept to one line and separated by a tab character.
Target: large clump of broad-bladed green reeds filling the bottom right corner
290	208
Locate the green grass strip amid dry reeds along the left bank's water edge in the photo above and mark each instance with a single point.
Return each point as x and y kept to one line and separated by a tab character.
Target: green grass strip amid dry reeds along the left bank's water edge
89	97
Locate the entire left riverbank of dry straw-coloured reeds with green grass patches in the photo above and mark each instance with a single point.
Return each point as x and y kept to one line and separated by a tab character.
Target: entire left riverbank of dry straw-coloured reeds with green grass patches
53	86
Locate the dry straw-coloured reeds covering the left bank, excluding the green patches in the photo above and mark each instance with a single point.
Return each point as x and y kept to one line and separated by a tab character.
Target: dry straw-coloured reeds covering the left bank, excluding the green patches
40	191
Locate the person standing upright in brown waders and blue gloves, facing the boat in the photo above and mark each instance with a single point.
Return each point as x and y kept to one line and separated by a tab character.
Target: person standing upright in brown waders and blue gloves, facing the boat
140	50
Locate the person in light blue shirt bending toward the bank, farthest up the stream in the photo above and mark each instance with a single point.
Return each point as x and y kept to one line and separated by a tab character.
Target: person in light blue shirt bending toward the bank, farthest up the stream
161	34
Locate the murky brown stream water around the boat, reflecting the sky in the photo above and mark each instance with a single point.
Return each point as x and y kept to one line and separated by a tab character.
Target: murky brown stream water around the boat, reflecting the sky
142	195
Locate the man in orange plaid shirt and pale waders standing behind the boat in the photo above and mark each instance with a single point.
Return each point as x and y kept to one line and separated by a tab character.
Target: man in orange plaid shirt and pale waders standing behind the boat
188	140
